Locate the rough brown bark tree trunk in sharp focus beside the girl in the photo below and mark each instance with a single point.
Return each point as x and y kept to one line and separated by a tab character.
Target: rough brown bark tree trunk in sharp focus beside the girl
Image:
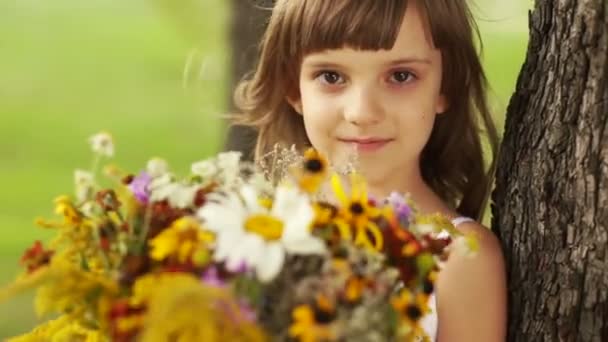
551	199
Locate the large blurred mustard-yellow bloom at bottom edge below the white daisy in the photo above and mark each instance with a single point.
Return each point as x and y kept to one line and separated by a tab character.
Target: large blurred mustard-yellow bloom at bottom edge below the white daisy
181	308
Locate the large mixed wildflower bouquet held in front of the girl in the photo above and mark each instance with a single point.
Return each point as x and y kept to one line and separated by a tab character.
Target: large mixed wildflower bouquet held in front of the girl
233	252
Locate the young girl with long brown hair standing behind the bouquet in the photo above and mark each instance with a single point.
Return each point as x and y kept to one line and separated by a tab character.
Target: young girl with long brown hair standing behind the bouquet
401	83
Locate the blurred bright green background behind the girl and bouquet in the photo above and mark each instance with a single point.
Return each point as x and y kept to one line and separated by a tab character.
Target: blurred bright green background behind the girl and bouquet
71	68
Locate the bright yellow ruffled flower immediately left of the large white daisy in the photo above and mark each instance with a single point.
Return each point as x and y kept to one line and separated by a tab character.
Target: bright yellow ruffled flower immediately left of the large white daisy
184	241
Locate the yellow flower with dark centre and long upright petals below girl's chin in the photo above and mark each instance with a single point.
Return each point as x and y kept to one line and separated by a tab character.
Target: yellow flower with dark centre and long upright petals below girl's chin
355	211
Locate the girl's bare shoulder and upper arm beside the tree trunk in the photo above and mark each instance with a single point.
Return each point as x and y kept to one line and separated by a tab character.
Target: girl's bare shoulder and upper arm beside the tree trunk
480	281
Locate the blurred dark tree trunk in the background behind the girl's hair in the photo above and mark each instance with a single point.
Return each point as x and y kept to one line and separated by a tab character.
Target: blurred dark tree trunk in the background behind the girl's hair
247	26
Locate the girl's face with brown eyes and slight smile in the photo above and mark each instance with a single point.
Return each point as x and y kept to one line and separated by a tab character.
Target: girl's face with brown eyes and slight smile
381	104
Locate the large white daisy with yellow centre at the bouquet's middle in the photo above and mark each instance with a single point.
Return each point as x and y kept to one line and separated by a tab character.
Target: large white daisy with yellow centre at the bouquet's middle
259	237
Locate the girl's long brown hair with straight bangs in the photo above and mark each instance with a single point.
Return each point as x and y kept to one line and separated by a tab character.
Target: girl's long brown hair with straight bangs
452	162
